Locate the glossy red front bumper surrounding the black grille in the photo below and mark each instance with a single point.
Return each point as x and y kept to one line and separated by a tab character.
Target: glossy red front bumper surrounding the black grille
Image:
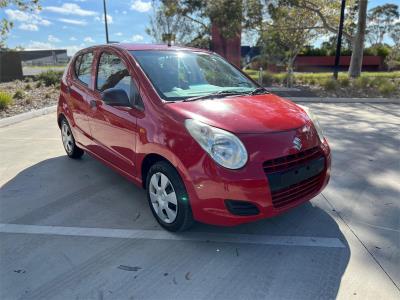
209	185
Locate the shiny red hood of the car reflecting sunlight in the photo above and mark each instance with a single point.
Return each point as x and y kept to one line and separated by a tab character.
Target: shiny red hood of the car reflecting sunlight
245	114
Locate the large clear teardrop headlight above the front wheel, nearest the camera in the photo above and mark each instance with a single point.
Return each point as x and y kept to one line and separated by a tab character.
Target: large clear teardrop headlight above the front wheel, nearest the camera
224	147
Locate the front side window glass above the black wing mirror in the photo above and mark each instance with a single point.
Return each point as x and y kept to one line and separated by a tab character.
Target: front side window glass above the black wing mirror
112	73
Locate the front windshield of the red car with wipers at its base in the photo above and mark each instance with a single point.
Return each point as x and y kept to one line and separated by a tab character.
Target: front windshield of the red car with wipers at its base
180	75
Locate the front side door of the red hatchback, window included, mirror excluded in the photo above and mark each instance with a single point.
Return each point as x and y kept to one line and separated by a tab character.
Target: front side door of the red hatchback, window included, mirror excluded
114	128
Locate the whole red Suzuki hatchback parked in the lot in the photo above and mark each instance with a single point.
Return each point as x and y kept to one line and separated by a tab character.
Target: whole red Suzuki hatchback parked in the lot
205	141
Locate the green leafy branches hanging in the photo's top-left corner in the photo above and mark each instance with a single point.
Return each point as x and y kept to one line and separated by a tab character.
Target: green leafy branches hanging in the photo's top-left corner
6	25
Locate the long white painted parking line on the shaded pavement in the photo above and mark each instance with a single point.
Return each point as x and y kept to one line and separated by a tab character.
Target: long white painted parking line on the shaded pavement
164	235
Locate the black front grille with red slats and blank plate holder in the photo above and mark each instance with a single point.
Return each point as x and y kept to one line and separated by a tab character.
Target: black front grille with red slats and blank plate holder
295	176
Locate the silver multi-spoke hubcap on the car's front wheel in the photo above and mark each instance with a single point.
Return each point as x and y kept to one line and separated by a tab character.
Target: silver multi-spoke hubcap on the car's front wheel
163	197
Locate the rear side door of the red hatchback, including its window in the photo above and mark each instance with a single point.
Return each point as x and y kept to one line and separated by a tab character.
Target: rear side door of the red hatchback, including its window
78	88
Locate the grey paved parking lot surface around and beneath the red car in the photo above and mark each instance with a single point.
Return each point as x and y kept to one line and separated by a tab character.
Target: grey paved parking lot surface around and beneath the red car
77	230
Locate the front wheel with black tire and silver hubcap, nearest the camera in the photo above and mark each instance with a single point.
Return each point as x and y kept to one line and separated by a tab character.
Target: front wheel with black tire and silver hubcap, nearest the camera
162	184
